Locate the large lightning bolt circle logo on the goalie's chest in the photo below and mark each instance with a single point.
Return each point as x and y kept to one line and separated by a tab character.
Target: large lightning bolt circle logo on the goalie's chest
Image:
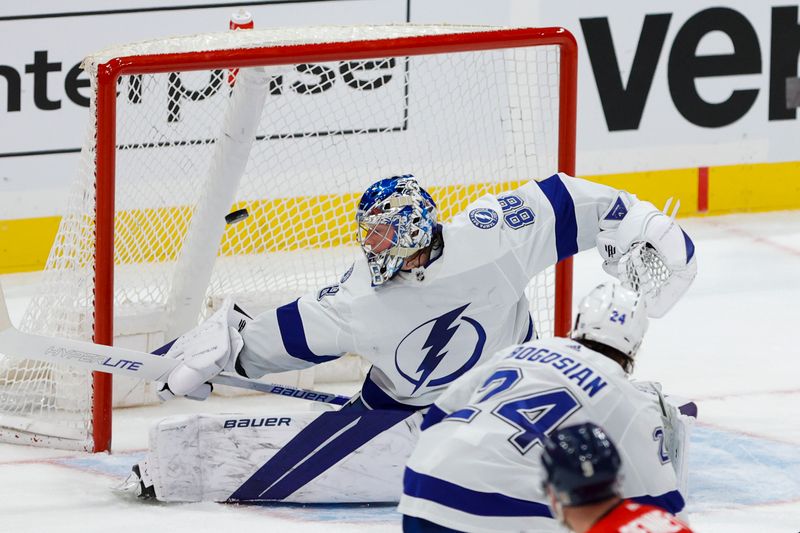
441	349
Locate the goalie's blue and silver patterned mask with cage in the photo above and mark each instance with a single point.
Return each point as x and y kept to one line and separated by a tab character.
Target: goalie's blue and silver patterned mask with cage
396	219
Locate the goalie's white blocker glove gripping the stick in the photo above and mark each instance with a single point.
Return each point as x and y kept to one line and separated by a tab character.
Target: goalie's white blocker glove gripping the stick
204	352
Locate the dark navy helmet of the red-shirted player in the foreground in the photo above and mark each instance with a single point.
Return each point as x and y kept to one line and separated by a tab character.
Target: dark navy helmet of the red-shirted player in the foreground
581	465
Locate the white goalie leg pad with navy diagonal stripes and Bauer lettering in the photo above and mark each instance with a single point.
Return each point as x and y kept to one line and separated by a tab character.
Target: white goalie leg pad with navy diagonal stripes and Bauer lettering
210	457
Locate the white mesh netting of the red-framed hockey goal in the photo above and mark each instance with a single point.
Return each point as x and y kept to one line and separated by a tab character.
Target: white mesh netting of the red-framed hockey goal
464	124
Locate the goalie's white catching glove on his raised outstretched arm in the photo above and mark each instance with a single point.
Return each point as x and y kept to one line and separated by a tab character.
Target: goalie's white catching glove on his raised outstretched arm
649	253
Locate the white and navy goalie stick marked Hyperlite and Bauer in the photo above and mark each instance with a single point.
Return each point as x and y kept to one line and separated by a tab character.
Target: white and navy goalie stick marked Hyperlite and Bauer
123	361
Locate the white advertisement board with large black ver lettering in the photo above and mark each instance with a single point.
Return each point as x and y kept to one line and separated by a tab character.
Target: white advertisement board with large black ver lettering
667	84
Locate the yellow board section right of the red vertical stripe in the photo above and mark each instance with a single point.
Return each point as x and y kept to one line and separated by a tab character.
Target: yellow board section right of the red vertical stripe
751	188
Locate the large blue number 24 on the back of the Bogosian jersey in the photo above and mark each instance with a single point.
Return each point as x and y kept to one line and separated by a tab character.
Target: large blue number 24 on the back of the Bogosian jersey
532	415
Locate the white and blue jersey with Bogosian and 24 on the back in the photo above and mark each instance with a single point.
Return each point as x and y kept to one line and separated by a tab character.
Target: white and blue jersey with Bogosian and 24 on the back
477	466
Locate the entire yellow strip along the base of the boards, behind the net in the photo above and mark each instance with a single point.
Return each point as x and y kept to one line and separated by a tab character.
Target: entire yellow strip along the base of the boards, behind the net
154	235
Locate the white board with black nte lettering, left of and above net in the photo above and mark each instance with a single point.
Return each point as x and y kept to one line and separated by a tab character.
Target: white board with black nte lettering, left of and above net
44	93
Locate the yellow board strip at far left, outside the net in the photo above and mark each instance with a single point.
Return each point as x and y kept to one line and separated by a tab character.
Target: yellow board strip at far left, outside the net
25	243
